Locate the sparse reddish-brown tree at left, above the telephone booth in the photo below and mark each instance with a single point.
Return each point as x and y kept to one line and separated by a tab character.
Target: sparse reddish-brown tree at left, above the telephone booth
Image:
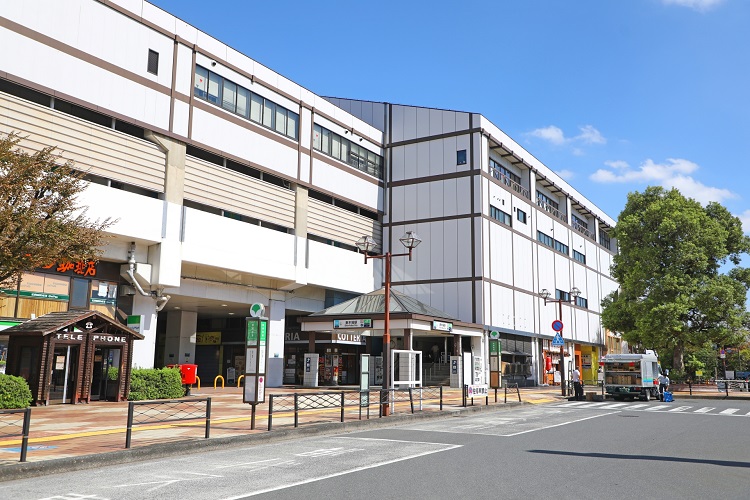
40	221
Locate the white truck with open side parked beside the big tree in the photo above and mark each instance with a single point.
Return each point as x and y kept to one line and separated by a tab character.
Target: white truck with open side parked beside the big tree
632	375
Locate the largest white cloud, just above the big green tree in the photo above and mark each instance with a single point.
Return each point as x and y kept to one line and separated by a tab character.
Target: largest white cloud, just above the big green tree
675	173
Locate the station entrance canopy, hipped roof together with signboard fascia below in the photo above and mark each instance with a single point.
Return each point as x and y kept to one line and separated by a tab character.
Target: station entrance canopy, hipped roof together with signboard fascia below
365	315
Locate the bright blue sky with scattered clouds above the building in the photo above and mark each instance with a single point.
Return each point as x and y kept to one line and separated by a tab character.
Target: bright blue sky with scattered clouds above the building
612	95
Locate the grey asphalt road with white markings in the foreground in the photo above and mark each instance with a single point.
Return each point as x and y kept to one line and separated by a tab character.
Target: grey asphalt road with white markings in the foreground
626	450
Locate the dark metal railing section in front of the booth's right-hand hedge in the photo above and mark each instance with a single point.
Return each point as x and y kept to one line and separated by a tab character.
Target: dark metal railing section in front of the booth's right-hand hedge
168	411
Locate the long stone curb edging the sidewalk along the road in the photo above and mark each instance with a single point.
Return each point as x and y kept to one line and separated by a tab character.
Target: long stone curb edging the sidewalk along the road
24	470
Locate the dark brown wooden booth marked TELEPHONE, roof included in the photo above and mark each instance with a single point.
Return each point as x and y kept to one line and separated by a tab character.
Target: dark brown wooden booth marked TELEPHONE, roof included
72	356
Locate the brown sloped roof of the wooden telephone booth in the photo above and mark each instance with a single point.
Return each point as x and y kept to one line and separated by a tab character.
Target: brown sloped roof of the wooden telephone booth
56	321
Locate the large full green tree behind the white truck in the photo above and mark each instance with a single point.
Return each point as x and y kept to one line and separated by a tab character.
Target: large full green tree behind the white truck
681	284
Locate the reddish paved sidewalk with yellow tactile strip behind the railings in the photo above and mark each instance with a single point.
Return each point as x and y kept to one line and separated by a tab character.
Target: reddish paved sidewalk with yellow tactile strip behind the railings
90	435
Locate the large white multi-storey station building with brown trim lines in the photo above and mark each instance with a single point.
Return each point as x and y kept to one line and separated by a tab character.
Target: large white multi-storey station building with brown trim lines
231	185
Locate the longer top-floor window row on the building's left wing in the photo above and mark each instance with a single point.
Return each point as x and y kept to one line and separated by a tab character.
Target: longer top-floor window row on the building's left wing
240	101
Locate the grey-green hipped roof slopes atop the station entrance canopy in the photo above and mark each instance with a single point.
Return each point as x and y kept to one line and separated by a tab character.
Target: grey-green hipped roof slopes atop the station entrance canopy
374	303
